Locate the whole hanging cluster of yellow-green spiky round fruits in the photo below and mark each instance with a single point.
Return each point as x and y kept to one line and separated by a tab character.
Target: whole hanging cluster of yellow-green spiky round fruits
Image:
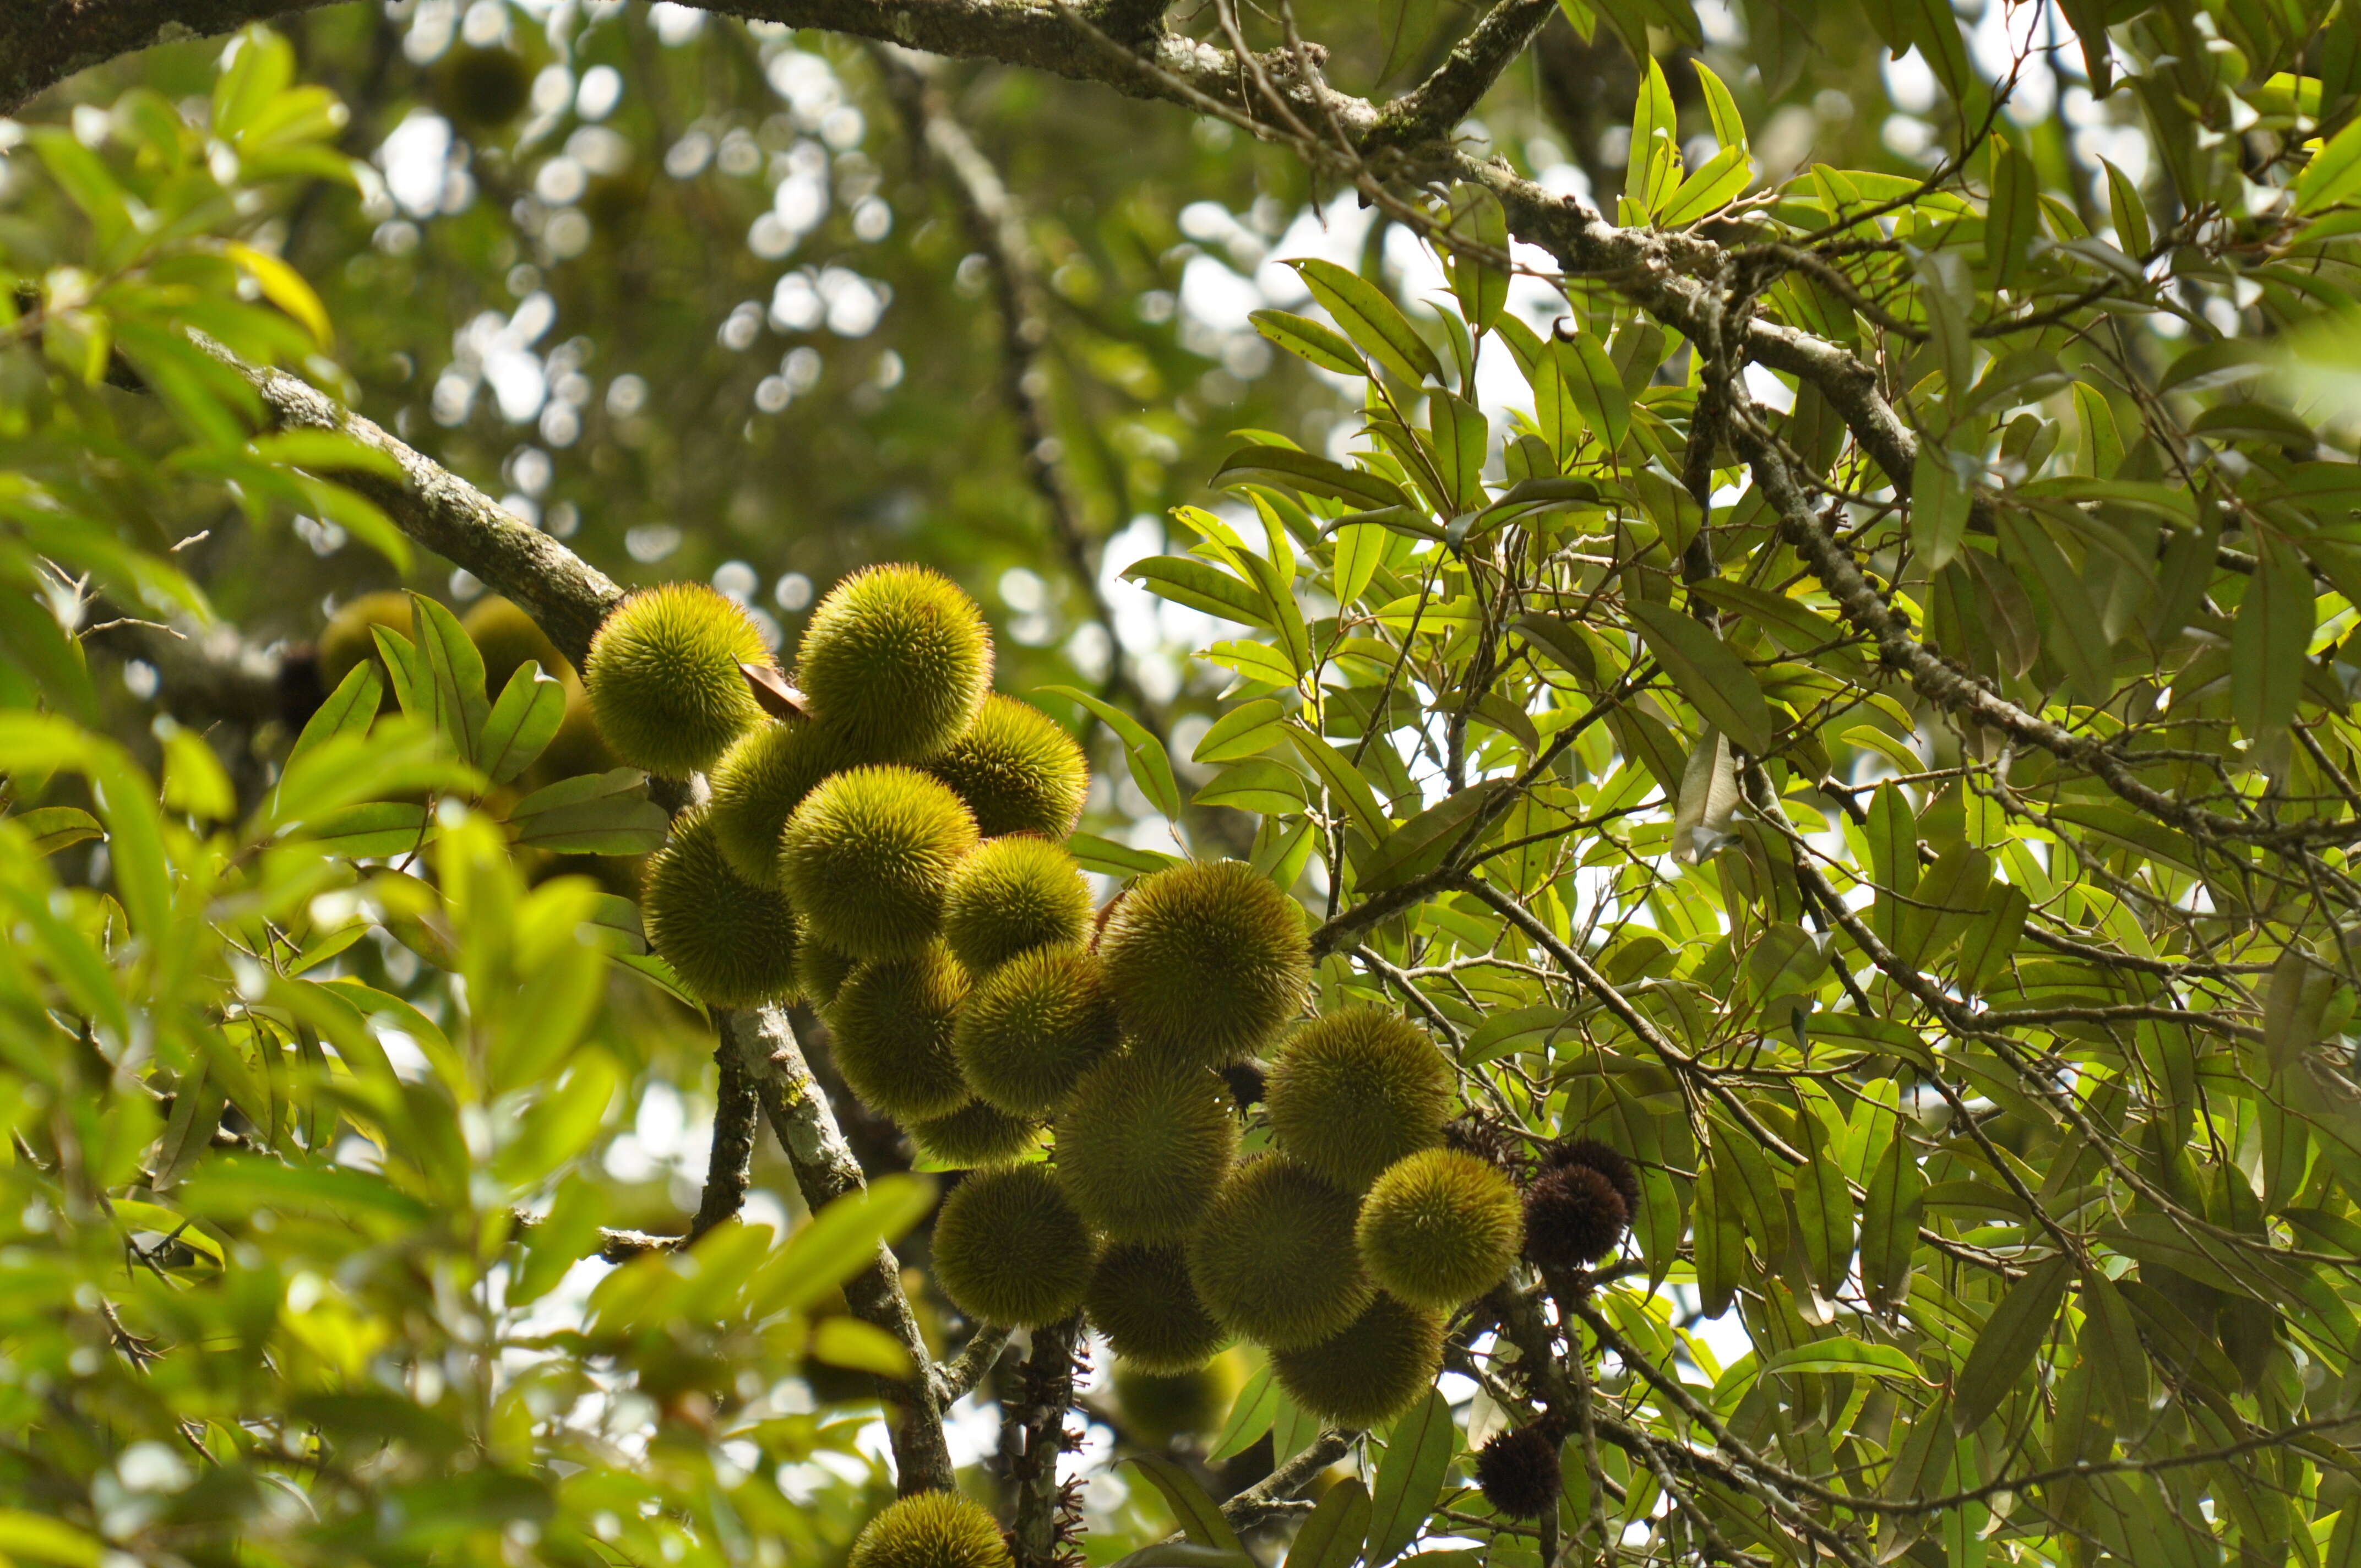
896	858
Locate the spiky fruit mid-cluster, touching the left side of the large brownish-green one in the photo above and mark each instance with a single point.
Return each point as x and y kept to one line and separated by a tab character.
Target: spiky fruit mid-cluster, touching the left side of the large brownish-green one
1033	1028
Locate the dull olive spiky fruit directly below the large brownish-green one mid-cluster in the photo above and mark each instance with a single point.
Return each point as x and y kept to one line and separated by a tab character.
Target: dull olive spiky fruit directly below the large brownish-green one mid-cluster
1144	1146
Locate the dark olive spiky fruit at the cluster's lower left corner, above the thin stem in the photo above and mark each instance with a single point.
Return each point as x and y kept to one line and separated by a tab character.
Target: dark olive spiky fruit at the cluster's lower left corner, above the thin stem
1012	1250
